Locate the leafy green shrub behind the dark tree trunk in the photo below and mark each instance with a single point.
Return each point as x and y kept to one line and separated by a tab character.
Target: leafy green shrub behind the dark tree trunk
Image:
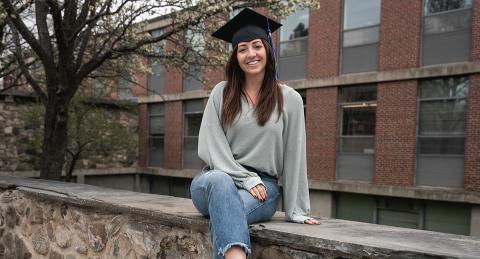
93	130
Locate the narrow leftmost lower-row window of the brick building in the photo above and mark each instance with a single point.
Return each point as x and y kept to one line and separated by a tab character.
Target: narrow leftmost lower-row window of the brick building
156	134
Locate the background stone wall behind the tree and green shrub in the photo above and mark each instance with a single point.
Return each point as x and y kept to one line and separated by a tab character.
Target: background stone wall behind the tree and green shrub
16	135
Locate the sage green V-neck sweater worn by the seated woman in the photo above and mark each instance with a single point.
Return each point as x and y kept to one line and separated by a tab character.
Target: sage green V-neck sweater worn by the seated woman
277	148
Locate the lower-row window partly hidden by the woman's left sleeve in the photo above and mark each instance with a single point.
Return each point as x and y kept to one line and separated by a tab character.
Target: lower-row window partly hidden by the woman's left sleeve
192	119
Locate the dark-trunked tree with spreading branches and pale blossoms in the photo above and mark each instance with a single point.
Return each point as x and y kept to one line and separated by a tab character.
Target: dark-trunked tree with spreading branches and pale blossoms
74	39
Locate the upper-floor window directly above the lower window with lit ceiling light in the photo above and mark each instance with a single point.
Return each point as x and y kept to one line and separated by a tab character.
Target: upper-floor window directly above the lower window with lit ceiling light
361	25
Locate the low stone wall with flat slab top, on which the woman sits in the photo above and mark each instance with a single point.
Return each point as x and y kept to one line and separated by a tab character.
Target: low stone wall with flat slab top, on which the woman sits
50	219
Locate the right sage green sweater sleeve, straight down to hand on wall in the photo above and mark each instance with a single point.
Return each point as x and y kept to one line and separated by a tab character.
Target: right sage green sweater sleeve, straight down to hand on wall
295	183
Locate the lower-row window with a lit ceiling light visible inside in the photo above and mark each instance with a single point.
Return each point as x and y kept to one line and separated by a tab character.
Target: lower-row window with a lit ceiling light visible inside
357	110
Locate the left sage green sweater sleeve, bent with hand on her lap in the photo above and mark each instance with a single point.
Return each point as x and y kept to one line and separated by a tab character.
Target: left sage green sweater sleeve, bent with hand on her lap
213	147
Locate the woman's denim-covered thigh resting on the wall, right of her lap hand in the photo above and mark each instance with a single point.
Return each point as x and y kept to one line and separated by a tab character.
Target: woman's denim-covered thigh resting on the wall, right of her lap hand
257	211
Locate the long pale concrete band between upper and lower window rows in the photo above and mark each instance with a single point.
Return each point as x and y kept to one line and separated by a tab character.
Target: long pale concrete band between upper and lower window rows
451	69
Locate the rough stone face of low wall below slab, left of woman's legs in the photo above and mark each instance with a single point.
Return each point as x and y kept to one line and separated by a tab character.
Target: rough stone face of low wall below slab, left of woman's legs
37	228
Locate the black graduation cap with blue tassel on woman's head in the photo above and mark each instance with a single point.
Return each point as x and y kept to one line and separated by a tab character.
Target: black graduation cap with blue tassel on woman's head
248	25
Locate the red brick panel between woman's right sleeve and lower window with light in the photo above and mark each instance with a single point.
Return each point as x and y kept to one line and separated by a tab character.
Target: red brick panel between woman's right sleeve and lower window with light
321	133
